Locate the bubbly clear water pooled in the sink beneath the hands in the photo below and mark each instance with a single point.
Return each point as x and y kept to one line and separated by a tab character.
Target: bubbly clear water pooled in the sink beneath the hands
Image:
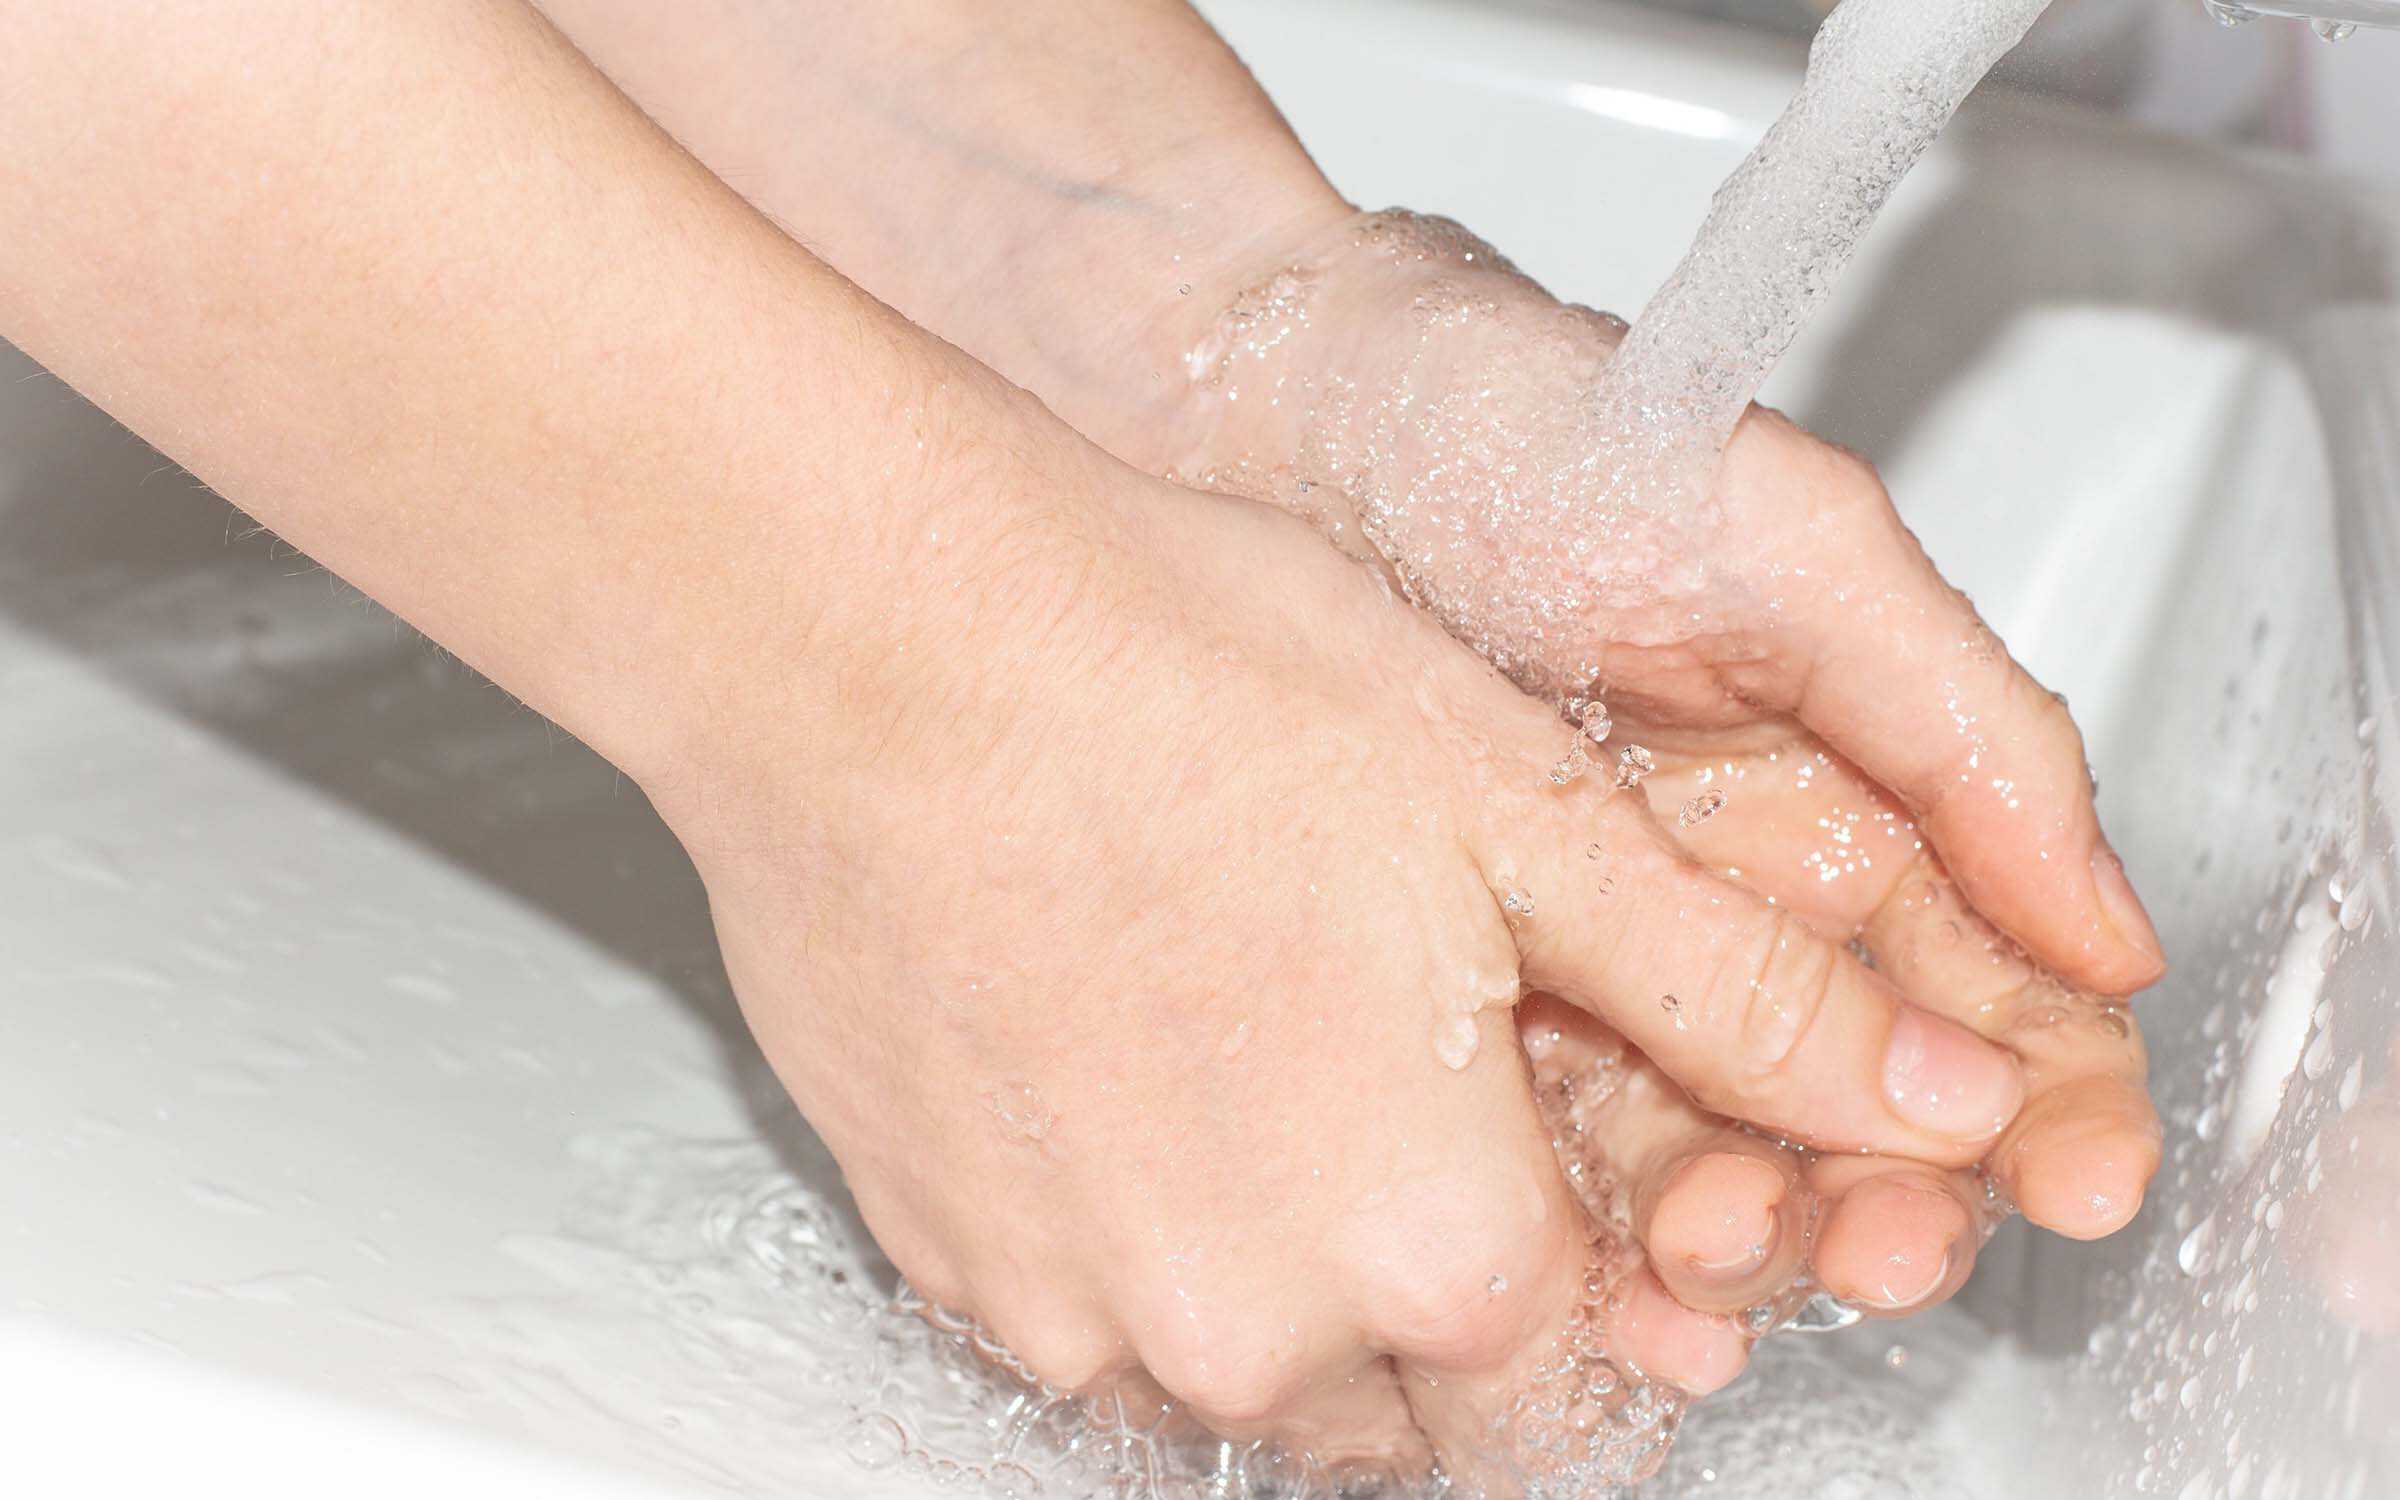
762	1307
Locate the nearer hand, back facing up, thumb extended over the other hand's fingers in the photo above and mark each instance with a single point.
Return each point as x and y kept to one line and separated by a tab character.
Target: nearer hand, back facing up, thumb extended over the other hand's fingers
1144	935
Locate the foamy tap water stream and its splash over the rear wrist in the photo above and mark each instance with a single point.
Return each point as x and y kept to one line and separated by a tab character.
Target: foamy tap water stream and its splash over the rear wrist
1544	496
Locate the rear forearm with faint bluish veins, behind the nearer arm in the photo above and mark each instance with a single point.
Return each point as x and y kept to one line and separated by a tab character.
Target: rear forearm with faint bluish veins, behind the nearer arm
1067	188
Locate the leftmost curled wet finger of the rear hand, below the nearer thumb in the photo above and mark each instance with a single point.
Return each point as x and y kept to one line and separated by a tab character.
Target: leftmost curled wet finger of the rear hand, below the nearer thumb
1720	1213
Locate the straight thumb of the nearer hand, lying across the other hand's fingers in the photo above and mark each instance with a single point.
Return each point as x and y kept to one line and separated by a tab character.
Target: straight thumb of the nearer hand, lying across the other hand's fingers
1736	1000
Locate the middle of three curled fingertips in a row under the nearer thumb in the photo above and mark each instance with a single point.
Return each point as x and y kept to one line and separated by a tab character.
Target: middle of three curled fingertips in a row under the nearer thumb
1897	1237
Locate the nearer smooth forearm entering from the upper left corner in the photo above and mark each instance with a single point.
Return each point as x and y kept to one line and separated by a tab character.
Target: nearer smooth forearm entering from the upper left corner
416	289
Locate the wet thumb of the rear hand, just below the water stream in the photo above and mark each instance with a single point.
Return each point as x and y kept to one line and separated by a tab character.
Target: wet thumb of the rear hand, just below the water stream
1926	700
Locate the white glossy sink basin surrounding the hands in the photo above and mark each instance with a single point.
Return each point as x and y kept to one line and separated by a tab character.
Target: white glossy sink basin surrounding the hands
373	1110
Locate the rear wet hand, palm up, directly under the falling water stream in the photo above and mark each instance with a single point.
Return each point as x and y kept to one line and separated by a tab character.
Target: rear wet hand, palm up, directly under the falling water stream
1849	738
